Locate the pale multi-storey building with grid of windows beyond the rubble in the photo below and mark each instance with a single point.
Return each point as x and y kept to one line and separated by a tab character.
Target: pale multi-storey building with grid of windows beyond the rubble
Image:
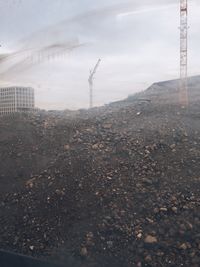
16	99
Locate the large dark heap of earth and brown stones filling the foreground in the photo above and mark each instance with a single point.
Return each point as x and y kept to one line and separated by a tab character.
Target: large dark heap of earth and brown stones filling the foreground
121	187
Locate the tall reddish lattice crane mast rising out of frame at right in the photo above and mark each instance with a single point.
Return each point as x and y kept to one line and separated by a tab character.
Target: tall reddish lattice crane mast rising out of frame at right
183	52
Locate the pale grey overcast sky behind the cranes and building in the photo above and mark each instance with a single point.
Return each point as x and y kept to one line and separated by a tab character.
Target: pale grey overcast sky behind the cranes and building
138	42
